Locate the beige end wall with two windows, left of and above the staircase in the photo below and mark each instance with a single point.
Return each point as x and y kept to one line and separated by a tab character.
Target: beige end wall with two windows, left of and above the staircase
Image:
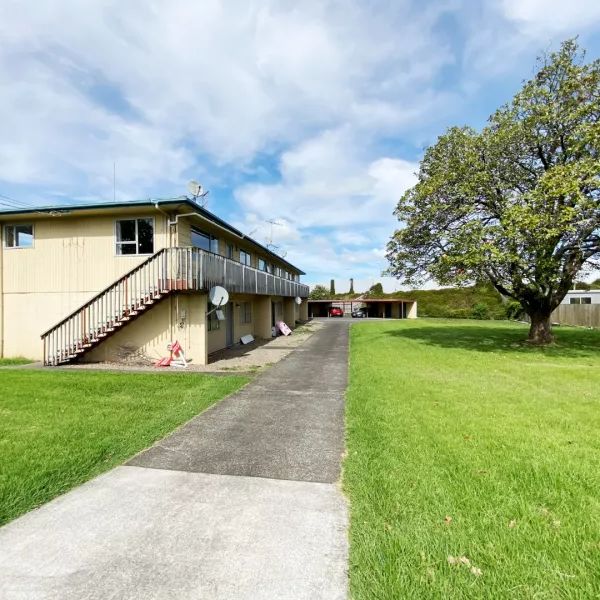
72	259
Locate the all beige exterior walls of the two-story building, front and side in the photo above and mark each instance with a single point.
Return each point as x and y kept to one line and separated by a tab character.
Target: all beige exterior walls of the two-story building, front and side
74	258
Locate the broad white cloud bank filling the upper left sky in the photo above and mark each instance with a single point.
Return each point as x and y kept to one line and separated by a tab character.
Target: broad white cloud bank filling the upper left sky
155	86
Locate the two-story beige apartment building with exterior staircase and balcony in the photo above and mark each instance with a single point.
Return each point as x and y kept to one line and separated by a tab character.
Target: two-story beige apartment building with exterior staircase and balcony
107	281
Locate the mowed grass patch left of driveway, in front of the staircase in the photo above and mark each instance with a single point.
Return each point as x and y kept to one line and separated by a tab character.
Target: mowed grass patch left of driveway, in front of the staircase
59	429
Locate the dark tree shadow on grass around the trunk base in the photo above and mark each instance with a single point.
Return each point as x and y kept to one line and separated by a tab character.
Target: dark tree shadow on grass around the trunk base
570	341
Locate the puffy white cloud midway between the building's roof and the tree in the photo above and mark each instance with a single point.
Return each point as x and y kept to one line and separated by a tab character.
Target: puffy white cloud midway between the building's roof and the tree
329	181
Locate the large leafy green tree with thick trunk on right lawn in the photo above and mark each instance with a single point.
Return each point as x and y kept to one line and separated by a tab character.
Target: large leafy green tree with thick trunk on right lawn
517	203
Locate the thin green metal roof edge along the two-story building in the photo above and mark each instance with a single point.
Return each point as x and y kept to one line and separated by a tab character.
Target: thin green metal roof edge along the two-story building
162	202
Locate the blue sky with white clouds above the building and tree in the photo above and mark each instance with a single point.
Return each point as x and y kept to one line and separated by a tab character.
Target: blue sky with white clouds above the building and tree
313	114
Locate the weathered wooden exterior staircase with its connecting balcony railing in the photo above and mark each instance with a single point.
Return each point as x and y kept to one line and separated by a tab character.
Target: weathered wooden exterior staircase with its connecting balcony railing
168	271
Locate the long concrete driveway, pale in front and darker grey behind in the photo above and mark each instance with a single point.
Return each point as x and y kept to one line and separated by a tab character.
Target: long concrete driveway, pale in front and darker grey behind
240	503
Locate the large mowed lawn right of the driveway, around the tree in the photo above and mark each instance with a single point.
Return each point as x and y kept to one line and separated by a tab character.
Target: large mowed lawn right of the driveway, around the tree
473	466
